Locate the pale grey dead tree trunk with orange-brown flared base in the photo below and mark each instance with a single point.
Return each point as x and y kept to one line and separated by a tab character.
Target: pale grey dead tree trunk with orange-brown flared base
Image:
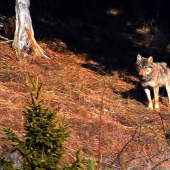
24	39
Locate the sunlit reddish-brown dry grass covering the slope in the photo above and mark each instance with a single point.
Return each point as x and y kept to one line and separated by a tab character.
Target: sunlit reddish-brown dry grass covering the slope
132	136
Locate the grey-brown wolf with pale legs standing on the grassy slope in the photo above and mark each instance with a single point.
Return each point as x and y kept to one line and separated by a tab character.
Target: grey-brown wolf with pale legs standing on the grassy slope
153	75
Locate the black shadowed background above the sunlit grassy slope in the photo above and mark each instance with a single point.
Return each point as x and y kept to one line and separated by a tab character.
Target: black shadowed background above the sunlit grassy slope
111	40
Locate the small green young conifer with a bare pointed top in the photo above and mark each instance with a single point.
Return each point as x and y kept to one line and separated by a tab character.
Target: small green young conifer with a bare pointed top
43	146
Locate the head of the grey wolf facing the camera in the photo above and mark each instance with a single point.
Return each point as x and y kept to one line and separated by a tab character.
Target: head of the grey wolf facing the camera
144	66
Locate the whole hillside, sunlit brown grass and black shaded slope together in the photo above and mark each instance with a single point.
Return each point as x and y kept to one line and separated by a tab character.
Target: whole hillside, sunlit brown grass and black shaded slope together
91	79
